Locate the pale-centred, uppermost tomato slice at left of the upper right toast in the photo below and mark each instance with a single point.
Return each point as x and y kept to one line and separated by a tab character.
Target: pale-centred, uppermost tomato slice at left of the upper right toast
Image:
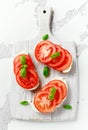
43	51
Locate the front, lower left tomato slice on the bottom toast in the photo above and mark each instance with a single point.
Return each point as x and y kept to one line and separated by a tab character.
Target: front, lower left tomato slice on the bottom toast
42	103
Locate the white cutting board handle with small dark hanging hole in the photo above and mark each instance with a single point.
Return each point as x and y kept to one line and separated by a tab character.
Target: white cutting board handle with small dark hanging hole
44	16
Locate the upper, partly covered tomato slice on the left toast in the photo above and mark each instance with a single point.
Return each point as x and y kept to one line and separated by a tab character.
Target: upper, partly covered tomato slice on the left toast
18	65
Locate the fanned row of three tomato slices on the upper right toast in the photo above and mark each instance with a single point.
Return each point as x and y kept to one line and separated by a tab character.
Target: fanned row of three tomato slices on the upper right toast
45	49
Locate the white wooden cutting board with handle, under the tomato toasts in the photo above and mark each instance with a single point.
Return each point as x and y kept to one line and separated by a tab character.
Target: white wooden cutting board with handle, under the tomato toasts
18	94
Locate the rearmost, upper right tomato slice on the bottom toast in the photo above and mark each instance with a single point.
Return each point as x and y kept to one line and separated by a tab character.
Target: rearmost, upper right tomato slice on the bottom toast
60	84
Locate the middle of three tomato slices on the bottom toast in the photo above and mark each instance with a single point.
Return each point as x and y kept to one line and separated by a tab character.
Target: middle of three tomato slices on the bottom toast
58	94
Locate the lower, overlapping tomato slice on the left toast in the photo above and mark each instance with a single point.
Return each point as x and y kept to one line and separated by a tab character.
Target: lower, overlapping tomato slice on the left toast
28	82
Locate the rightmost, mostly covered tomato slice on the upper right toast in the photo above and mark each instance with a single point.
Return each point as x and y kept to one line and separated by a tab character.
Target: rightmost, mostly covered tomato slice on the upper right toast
67	62
